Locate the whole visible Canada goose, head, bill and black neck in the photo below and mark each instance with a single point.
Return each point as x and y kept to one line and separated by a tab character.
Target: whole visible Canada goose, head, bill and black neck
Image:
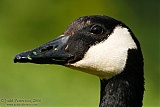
102	46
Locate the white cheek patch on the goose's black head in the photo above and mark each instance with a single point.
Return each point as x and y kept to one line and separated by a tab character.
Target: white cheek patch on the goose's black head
108	57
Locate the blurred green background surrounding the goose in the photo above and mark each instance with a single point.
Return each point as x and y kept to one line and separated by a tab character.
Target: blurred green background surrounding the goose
26	24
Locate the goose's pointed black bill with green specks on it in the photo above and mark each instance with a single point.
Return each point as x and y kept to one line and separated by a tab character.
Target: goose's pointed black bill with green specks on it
52	52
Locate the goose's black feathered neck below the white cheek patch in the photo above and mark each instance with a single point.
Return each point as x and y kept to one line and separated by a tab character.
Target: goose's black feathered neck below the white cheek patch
125	89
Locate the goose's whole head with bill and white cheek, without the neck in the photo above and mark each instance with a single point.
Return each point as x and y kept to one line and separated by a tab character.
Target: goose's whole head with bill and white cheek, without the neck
95	44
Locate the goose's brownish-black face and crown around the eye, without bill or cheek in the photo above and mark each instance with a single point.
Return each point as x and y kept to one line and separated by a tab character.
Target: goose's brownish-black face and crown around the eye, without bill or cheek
88	31
